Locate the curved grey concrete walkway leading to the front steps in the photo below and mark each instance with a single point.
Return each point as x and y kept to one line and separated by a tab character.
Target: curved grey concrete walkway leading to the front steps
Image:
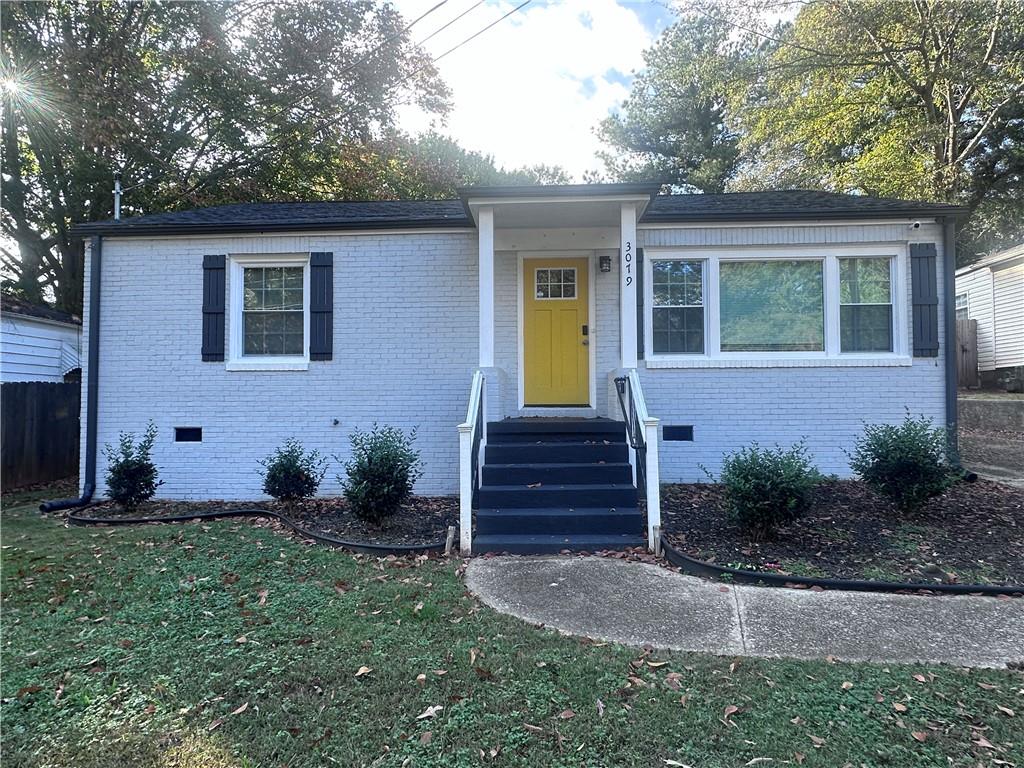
644	605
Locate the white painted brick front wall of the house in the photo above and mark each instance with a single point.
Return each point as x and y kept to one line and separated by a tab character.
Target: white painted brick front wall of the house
405	349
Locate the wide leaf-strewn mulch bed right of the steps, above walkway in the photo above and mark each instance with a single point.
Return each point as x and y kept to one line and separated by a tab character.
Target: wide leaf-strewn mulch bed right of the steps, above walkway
972	534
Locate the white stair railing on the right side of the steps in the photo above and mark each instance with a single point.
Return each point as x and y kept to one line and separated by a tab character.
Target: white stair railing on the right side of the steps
642	431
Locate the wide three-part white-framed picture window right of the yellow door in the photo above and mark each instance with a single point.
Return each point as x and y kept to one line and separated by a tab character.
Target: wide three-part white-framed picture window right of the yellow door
793	306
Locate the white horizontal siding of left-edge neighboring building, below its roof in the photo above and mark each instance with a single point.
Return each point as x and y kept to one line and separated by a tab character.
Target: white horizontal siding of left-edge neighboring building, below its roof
35	350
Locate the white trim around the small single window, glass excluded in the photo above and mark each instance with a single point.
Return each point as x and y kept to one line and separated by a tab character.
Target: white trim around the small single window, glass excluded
237	360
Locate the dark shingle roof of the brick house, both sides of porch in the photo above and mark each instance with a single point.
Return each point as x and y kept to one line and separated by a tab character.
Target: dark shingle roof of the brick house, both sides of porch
758	206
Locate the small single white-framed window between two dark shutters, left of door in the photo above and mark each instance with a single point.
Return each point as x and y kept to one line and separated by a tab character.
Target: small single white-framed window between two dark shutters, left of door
270	313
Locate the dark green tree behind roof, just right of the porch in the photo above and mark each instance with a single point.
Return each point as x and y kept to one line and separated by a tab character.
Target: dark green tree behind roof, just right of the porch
674	129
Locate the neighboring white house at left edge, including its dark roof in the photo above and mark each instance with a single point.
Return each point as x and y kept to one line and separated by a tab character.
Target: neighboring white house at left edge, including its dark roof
37	344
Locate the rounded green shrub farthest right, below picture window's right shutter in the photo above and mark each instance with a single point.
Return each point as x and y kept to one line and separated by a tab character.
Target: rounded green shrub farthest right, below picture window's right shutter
906	462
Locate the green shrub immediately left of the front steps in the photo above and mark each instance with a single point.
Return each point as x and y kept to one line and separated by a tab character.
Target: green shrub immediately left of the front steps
381	473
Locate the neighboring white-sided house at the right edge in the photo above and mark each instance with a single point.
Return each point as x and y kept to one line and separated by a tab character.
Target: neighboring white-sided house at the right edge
992	291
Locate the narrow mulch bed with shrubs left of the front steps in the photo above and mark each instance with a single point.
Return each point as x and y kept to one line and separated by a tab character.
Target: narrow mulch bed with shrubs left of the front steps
421	521
